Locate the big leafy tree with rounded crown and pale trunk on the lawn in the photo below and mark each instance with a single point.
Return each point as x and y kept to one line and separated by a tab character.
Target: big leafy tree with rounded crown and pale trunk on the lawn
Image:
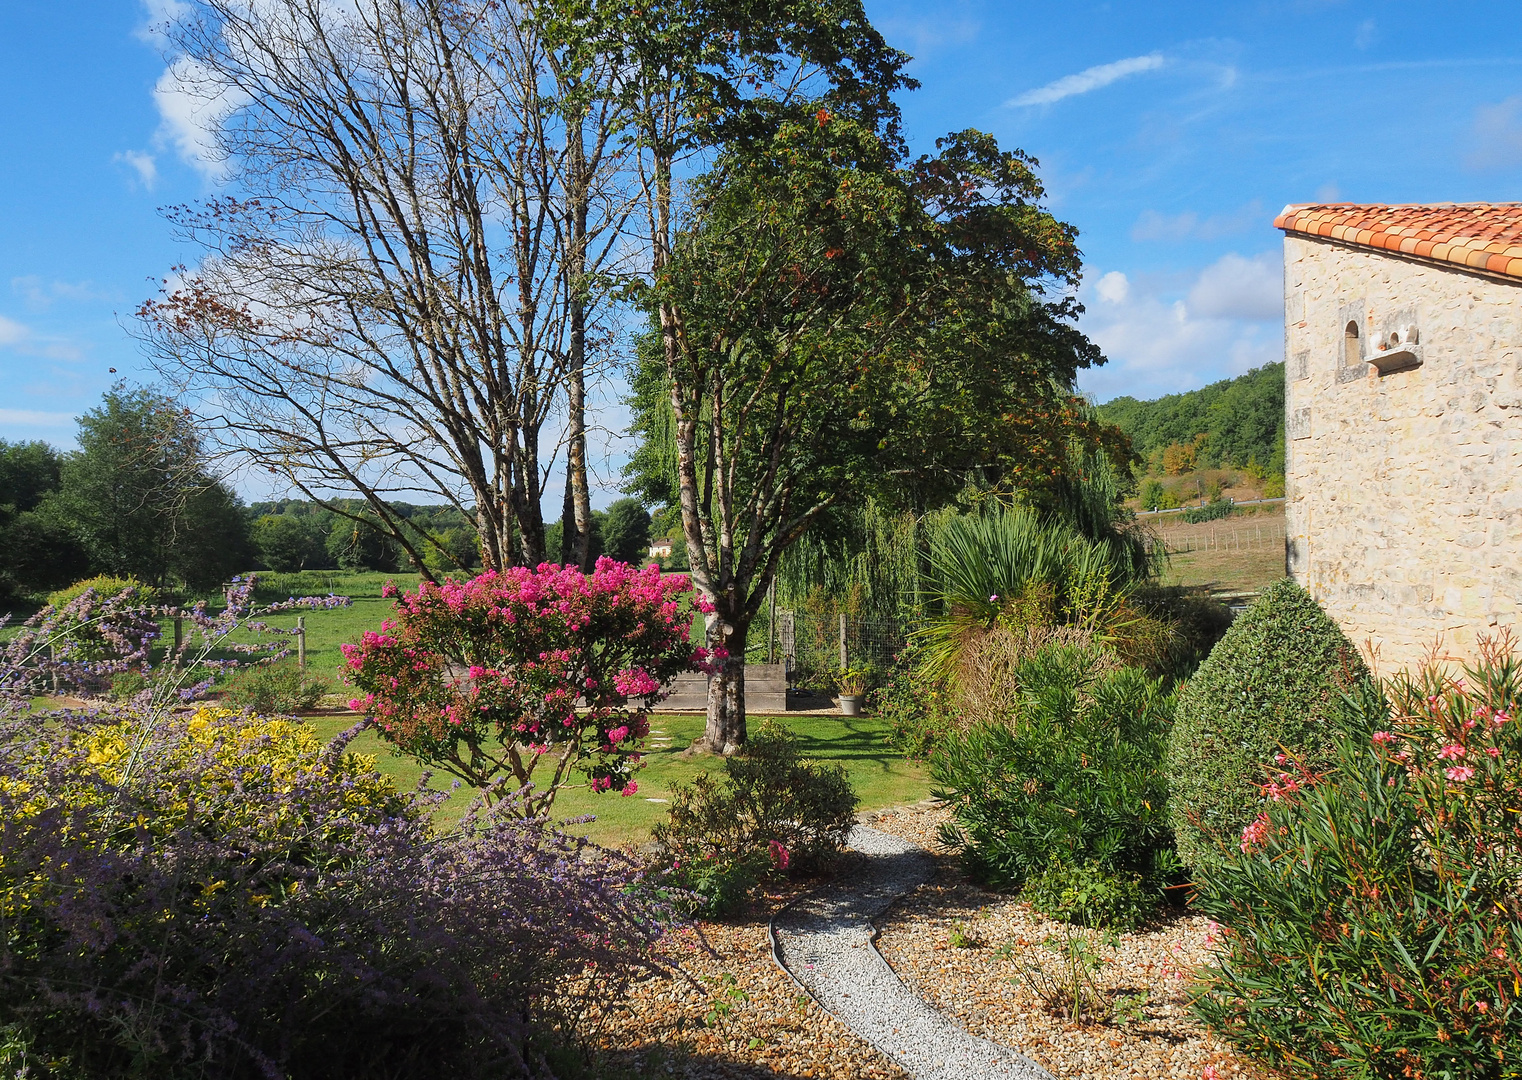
839	323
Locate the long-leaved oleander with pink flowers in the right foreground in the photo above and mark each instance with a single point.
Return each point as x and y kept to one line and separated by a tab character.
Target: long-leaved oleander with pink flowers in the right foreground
1371	906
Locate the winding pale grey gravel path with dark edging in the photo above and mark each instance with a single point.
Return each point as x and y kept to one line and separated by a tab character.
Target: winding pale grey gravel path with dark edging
826	942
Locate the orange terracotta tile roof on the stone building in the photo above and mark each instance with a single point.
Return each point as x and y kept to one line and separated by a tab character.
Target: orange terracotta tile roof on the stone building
1474	235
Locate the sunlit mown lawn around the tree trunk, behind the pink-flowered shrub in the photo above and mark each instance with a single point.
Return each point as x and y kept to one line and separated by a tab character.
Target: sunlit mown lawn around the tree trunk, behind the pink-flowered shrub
880	777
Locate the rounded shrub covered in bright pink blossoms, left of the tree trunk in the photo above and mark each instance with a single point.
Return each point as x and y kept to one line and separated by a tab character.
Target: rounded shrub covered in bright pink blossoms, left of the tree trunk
485	679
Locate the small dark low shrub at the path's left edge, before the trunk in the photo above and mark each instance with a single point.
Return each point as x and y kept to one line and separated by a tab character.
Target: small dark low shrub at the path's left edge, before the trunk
772	810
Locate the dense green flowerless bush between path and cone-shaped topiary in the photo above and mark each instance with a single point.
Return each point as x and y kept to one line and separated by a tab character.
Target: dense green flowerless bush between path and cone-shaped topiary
1072	777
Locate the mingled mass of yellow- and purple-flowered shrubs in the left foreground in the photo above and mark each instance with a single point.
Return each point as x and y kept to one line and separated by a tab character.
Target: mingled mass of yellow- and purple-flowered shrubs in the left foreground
220	895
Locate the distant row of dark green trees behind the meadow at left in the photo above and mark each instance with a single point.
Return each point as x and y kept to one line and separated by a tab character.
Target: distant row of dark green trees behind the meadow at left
139	500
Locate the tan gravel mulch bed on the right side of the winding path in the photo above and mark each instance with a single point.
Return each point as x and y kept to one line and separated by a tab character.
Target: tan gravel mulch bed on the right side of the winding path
982	991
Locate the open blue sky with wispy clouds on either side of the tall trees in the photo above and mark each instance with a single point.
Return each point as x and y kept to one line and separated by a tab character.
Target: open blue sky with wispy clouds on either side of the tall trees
1170	133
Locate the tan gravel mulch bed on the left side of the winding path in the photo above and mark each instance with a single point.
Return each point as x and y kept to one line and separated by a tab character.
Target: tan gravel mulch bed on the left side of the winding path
731	1014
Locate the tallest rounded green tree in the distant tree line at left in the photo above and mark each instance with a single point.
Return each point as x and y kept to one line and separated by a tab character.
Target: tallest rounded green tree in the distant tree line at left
141	501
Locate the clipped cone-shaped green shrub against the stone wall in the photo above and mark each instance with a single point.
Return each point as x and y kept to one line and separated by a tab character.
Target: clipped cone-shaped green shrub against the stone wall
1275	682
